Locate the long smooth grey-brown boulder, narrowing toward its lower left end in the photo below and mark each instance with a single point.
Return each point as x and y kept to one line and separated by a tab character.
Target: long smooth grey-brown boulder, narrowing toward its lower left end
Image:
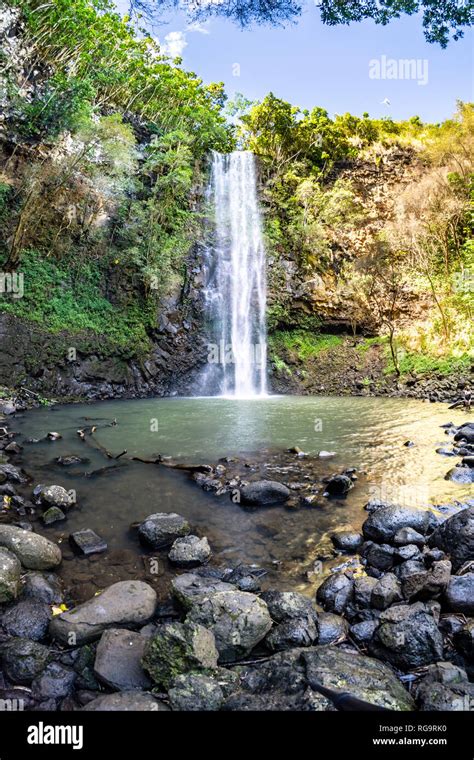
126	604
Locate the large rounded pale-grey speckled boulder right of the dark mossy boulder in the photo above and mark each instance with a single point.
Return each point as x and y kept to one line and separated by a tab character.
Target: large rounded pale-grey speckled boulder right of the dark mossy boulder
238	619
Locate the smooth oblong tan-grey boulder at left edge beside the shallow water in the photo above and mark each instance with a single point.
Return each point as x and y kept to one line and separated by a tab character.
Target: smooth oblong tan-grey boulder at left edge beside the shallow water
34	552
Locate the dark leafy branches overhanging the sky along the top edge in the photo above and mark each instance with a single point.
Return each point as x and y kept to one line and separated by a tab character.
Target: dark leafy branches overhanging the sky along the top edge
442	19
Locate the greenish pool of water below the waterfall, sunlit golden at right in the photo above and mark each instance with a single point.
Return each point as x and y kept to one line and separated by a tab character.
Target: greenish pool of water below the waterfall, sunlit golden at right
365	433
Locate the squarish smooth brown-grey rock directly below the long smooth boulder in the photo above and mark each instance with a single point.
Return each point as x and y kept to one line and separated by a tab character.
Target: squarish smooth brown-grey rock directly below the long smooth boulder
118	660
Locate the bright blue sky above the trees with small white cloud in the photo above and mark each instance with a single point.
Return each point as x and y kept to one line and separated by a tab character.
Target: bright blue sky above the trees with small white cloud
311	64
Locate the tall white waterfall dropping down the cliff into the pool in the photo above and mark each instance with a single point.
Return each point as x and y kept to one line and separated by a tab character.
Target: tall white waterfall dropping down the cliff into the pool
235	290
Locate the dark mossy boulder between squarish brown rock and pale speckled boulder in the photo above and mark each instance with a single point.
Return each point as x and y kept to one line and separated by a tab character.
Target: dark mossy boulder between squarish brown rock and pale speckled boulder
177	648
